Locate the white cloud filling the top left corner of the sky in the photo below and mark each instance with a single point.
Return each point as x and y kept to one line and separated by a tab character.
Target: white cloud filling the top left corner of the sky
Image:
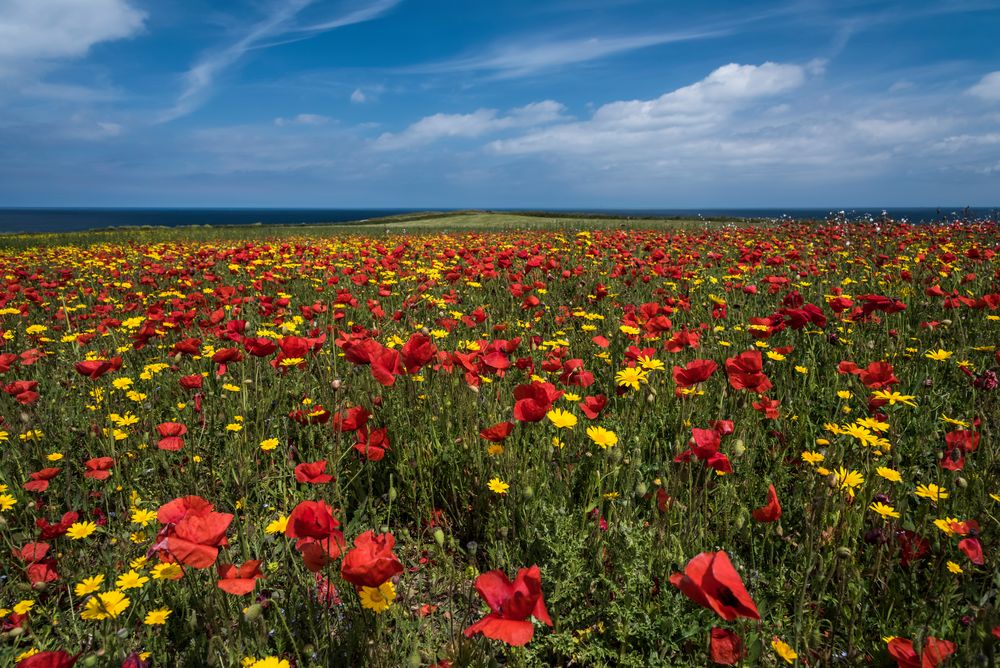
40	31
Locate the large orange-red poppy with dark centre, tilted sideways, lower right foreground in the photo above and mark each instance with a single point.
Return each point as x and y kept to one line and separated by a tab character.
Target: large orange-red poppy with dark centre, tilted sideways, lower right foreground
710	580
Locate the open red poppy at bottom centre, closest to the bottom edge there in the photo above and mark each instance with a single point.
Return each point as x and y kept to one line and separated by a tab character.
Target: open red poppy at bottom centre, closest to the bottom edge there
511	605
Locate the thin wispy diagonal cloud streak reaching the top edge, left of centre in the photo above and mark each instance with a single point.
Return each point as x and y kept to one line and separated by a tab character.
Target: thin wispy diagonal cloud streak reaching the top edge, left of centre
279	27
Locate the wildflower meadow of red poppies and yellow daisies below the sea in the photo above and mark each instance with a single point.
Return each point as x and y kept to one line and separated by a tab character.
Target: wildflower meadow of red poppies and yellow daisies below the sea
480	440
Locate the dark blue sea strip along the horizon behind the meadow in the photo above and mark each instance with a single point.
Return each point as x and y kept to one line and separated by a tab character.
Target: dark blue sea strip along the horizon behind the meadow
68	220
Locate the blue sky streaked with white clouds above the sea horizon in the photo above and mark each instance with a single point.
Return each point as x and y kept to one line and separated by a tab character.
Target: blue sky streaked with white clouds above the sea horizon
510	103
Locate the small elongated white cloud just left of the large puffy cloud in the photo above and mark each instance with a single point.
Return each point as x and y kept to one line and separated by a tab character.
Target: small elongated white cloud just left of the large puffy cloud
476	124
